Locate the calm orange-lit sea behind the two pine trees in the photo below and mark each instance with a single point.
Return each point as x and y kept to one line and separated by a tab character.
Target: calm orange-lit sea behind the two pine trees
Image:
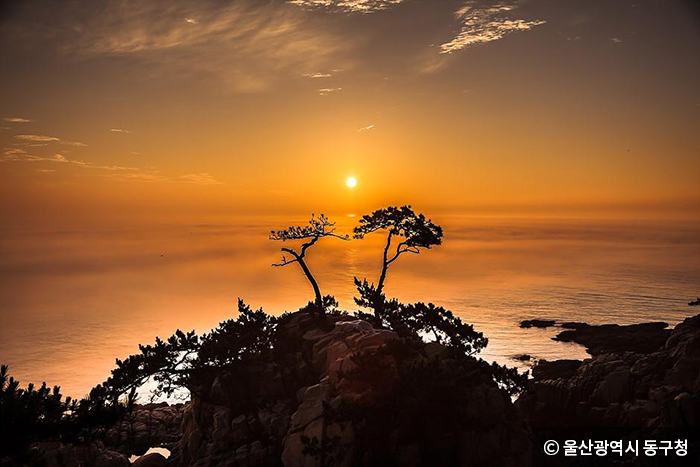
73	301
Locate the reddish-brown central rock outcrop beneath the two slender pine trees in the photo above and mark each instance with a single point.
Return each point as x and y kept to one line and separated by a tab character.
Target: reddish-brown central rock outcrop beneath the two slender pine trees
348	394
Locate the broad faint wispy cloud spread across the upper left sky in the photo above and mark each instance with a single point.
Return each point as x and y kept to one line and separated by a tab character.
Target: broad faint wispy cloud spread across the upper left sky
246	45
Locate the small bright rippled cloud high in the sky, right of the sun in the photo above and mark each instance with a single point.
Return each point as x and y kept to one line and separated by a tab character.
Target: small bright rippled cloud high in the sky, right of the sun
486	23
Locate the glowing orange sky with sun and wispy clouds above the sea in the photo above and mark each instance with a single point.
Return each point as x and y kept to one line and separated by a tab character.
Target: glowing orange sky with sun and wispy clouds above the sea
113	111
